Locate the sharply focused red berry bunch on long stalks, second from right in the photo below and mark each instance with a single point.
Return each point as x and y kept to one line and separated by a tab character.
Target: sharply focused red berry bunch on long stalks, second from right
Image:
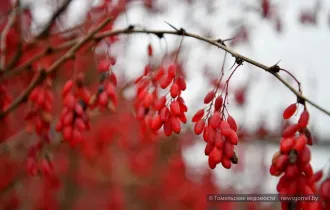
218	132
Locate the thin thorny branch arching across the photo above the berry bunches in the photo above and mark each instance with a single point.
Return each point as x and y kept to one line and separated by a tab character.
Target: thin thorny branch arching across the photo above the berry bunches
160	33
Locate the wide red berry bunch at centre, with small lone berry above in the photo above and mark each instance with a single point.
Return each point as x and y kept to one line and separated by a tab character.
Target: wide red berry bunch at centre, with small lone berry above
167	111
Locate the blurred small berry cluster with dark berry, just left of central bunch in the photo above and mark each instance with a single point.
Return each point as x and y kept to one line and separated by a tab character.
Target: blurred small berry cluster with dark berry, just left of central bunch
106	97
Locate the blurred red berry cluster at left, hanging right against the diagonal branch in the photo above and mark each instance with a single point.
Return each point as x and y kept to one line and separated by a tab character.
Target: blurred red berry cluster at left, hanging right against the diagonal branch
39	114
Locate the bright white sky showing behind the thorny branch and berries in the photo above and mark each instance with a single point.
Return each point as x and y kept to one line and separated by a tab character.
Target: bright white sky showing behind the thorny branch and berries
302	49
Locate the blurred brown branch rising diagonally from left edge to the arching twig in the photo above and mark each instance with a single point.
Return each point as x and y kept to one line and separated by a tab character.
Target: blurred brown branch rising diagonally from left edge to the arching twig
43	73
